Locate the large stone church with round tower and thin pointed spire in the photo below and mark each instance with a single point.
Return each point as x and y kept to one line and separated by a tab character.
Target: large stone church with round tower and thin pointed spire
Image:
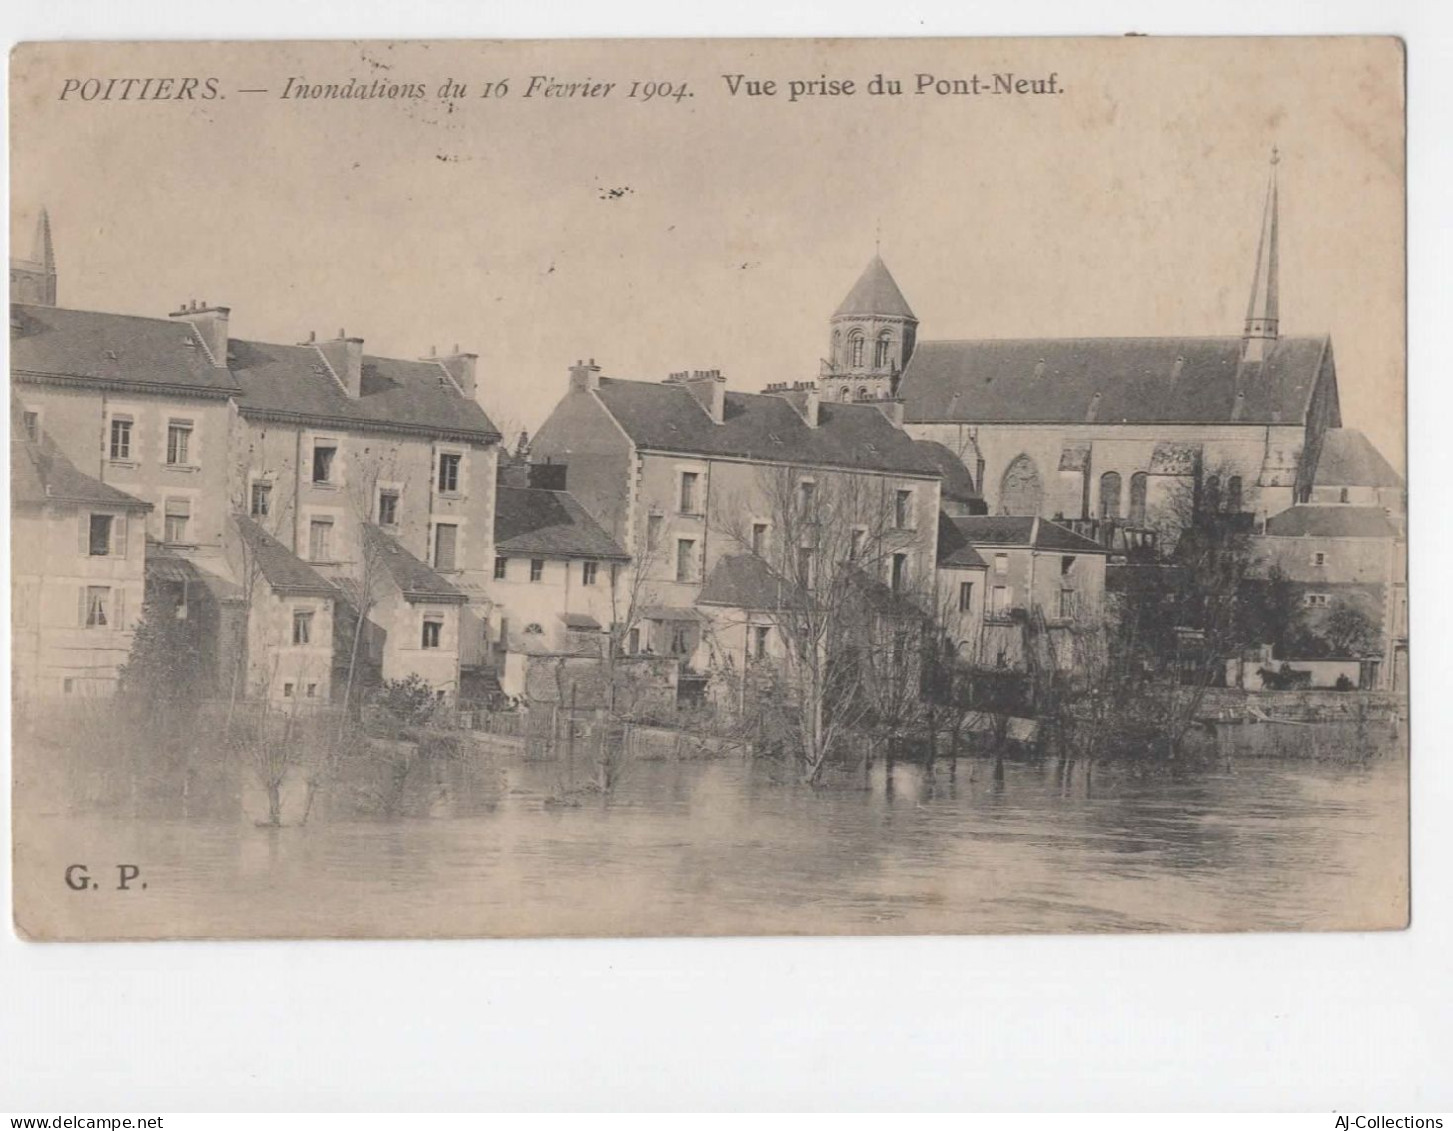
1104	430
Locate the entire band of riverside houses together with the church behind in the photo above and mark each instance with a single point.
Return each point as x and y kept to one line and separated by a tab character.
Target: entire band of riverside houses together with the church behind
323	518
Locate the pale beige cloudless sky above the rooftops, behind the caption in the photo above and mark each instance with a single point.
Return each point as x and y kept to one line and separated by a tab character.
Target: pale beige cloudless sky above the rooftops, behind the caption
719	230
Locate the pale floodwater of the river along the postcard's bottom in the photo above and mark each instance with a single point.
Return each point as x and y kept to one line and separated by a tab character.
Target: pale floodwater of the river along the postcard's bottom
721	847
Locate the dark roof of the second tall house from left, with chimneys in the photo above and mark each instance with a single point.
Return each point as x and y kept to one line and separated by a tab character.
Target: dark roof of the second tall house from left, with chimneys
294	382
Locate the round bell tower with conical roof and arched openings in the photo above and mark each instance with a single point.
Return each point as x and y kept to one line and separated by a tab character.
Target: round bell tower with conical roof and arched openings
871	339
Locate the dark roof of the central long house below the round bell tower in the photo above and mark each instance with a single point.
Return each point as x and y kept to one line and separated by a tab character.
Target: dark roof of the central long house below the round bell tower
759	427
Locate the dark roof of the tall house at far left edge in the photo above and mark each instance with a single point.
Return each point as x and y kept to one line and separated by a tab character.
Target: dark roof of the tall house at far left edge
120	348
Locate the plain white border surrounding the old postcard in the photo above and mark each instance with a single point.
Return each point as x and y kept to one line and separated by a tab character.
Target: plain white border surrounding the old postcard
1263	1023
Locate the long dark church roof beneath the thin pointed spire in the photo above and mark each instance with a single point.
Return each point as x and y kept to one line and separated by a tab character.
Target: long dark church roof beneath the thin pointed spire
1111	380
